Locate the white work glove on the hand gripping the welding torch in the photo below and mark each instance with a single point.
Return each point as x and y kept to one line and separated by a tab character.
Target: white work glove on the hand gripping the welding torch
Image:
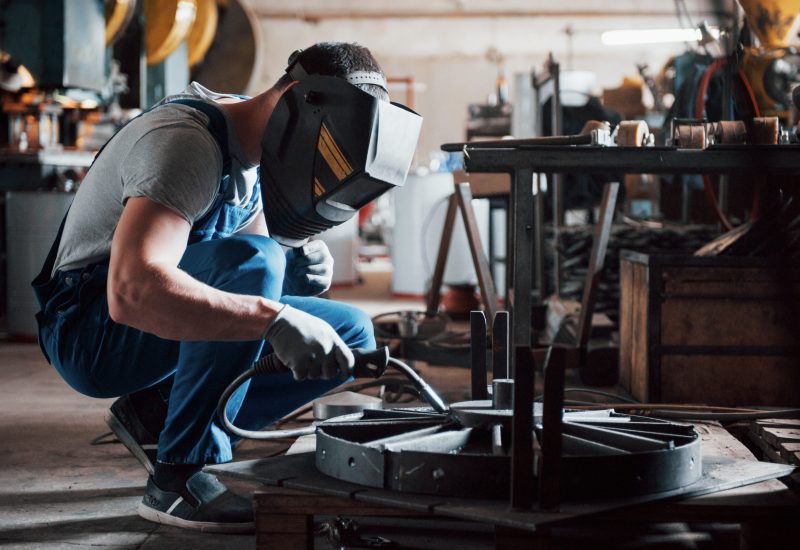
308	345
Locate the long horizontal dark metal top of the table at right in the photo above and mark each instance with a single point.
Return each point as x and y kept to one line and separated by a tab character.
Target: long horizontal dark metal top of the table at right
718	159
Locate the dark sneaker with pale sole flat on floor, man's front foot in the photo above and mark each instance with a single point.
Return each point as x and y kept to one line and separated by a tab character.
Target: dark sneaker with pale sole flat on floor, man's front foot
205	504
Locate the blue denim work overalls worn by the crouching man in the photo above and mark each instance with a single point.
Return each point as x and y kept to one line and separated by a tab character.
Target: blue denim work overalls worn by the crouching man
101	358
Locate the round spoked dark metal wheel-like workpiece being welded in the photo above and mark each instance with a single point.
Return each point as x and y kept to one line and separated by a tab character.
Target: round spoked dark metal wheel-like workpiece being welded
417	450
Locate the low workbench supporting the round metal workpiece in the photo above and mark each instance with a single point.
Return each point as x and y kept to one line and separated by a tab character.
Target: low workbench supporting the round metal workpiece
293	492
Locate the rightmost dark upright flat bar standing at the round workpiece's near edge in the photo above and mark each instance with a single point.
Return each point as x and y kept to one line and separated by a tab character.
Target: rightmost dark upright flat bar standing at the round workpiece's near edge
552	412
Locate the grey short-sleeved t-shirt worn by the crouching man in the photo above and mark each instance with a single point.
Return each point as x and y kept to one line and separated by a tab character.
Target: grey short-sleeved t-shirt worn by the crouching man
167	155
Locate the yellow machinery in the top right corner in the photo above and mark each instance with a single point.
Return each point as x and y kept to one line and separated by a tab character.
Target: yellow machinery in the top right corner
773	66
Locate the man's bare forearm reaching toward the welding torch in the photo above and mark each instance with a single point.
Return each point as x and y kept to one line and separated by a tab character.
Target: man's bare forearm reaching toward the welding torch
165	301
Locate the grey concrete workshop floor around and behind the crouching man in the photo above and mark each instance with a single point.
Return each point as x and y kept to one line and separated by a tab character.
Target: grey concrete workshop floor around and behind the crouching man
59	491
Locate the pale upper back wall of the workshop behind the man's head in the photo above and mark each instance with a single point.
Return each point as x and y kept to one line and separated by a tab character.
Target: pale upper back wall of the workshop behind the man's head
445	44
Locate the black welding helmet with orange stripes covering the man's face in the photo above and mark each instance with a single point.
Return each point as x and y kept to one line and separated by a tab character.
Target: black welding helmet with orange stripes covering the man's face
330	148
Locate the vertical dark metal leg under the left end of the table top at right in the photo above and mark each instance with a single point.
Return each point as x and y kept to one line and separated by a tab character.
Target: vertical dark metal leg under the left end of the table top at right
522	207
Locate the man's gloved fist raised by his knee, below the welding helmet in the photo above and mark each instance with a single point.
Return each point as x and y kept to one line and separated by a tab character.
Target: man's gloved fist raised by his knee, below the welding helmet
309	270
